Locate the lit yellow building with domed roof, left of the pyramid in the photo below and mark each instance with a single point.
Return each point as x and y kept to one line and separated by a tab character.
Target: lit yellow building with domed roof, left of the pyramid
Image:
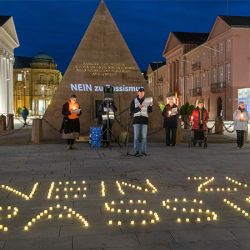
35	82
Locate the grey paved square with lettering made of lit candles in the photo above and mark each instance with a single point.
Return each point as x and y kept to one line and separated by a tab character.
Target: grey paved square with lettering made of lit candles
167	169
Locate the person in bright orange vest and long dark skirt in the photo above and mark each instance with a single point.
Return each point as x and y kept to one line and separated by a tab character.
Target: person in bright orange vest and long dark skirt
71	125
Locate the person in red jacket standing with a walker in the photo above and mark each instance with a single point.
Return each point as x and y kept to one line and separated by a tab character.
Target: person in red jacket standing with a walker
199	120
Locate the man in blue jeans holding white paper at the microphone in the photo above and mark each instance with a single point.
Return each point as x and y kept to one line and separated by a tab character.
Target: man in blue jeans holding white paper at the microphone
140	107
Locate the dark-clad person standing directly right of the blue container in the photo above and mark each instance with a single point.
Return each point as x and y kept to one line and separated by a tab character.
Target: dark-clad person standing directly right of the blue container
104	120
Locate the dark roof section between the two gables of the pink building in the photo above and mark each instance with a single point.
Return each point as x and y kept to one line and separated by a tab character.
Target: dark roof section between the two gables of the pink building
191	37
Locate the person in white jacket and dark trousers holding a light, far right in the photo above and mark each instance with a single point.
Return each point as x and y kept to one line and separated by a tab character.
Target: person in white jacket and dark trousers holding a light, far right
241	118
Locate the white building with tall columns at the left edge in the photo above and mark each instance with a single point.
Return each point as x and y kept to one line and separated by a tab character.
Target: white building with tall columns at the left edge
8	42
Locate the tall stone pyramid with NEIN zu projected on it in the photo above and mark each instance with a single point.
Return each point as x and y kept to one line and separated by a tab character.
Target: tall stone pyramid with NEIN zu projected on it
101	58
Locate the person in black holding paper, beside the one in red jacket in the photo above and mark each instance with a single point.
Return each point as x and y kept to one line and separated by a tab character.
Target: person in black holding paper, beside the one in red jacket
170	114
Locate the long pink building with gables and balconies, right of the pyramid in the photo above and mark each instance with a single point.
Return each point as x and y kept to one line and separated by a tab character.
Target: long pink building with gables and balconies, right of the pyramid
216	69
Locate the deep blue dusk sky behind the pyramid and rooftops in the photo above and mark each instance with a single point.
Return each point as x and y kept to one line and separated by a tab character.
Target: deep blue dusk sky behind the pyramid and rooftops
57	26
